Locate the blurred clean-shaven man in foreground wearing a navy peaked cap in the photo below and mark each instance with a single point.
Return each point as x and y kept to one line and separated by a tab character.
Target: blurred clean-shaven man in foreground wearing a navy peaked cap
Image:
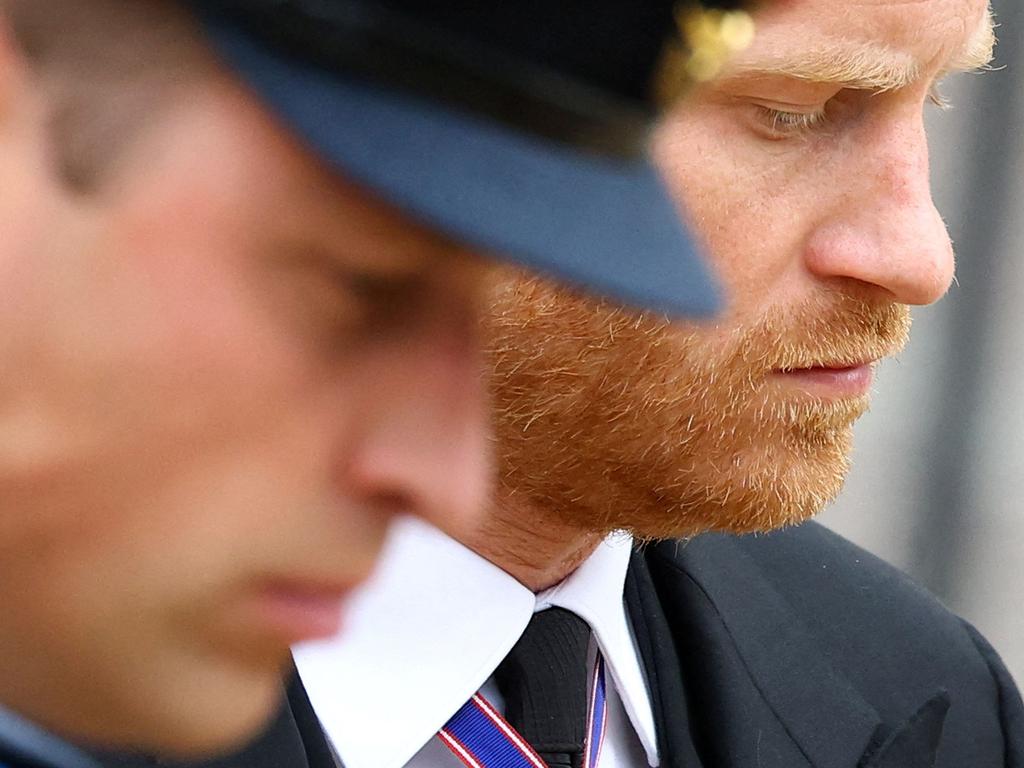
240	261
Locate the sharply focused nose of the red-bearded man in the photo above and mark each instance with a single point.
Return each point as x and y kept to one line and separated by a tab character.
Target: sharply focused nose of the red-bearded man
884	229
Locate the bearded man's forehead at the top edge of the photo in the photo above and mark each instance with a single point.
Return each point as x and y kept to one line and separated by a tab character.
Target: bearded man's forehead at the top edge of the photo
920	34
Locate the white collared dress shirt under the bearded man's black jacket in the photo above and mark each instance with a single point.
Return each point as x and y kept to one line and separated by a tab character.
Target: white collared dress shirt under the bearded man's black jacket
429	631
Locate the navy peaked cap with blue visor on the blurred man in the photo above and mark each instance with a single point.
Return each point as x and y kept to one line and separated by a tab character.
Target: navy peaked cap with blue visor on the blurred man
517	127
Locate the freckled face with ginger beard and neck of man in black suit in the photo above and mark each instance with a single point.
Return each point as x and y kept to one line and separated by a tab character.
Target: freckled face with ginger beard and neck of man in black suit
814	200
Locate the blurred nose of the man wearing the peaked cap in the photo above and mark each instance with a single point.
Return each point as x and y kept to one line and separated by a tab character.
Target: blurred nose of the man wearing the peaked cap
424	447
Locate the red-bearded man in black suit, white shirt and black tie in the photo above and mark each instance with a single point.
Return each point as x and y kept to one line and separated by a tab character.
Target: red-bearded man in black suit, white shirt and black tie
548	636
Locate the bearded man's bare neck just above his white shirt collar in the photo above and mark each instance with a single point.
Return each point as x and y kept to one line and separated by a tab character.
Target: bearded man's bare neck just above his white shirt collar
530	545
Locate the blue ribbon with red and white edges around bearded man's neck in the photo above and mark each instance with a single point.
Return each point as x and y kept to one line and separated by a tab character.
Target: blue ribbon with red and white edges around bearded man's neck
481	738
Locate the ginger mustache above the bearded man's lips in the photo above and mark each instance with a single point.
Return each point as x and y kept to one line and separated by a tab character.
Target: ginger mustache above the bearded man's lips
833	331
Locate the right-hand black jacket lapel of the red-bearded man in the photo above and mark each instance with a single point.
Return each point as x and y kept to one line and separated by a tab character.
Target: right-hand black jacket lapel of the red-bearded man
759	692
